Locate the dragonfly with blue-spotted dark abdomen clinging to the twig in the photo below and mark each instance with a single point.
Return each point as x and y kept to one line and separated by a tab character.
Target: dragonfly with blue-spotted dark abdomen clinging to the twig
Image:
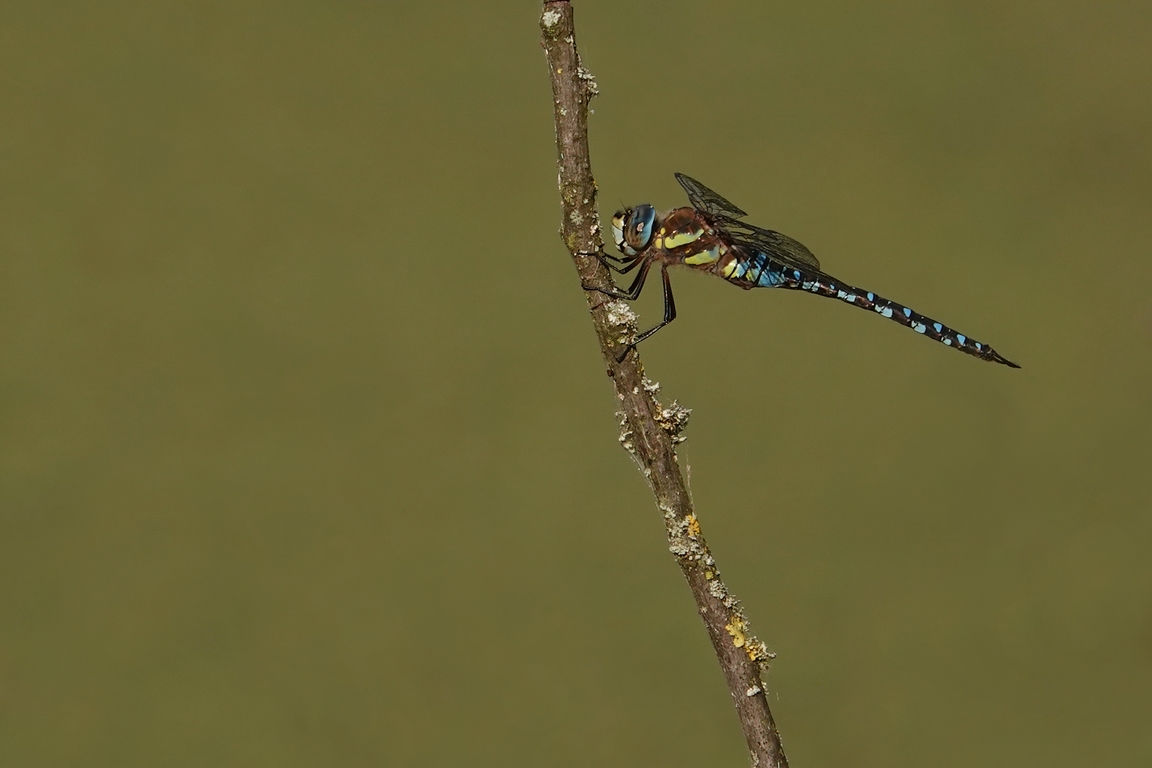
710	237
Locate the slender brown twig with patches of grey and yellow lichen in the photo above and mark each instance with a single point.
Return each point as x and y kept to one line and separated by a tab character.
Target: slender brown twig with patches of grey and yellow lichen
649	430
